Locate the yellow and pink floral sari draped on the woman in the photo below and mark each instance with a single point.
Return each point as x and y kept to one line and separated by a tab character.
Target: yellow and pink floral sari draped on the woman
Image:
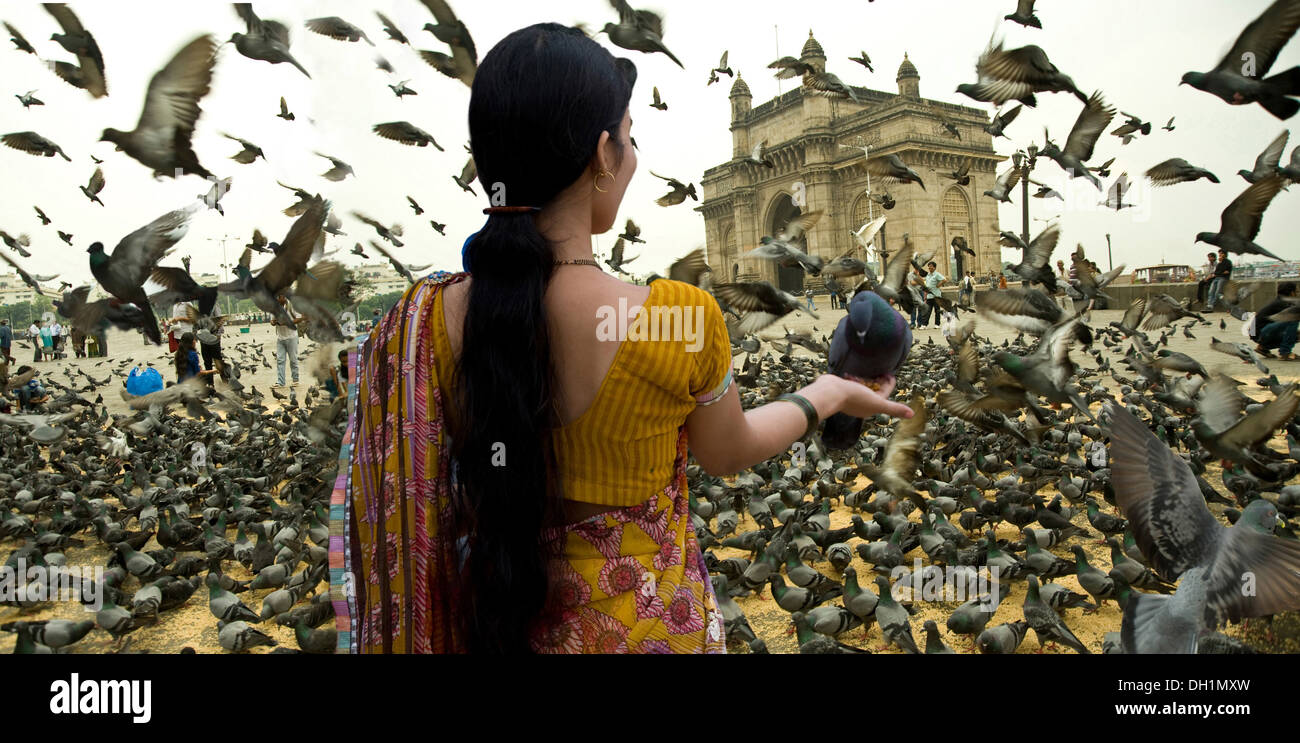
631	580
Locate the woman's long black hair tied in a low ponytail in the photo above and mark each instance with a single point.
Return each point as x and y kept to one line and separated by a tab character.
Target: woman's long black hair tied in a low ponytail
540	101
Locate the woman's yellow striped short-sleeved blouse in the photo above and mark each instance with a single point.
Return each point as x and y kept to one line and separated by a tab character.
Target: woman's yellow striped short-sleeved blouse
674	355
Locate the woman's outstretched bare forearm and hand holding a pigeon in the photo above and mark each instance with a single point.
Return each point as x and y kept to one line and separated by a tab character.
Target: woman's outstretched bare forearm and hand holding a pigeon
727	440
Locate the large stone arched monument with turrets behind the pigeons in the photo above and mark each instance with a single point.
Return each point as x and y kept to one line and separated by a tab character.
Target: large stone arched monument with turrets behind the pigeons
811	141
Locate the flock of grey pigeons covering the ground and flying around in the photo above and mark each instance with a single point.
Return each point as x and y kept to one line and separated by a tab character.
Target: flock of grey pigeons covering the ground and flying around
980	463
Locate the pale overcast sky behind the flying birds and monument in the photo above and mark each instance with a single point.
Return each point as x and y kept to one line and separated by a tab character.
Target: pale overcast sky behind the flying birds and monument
1136	53
